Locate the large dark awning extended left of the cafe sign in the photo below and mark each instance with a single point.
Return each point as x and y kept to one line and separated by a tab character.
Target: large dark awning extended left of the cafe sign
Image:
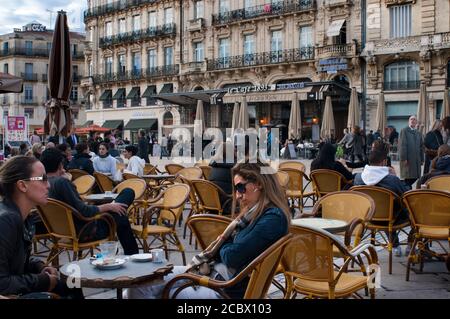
191	98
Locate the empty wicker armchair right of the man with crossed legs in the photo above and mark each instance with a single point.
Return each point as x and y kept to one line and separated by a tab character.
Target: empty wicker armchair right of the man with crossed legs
166	210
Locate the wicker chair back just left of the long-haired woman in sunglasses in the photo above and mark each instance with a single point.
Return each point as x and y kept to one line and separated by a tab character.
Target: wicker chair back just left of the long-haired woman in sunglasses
207	227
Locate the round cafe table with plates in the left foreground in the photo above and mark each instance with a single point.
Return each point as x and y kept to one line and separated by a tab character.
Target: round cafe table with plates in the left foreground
131	274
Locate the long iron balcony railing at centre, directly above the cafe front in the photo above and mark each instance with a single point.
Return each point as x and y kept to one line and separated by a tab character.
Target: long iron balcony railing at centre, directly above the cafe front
264	58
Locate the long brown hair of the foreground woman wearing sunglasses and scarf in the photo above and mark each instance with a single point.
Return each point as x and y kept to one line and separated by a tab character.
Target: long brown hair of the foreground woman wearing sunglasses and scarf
272	194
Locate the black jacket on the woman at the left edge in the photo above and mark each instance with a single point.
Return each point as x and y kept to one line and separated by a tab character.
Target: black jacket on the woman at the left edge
19	273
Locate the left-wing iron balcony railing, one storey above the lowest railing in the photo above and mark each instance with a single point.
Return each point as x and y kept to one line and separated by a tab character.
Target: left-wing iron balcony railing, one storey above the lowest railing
166	30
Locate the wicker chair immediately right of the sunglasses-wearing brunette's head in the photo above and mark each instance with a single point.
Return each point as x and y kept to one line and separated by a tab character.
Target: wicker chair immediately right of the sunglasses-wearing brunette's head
296	190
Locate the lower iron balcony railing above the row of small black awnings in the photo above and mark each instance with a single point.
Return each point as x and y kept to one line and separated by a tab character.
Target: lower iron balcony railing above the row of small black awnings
138	74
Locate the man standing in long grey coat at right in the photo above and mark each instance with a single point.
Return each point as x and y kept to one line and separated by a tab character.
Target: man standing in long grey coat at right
410	152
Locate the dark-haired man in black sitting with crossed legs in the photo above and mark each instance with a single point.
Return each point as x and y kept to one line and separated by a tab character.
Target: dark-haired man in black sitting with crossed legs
63	190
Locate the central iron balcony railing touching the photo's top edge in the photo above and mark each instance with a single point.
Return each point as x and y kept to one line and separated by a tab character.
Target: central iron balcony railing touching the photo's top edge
265	10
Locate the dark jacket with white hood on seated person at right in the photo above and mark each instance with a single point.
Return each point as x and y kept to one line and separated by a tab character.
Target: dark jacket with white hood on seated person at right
379	176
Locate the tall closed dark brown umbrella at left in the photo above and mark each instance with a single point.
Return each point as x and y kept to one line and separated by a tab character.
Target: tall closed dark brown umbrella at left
58	120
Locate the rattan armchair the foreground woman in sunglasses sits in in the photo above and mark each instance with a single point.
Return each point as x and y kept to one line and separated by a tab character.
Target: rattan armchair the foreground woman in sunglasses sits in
261	271
